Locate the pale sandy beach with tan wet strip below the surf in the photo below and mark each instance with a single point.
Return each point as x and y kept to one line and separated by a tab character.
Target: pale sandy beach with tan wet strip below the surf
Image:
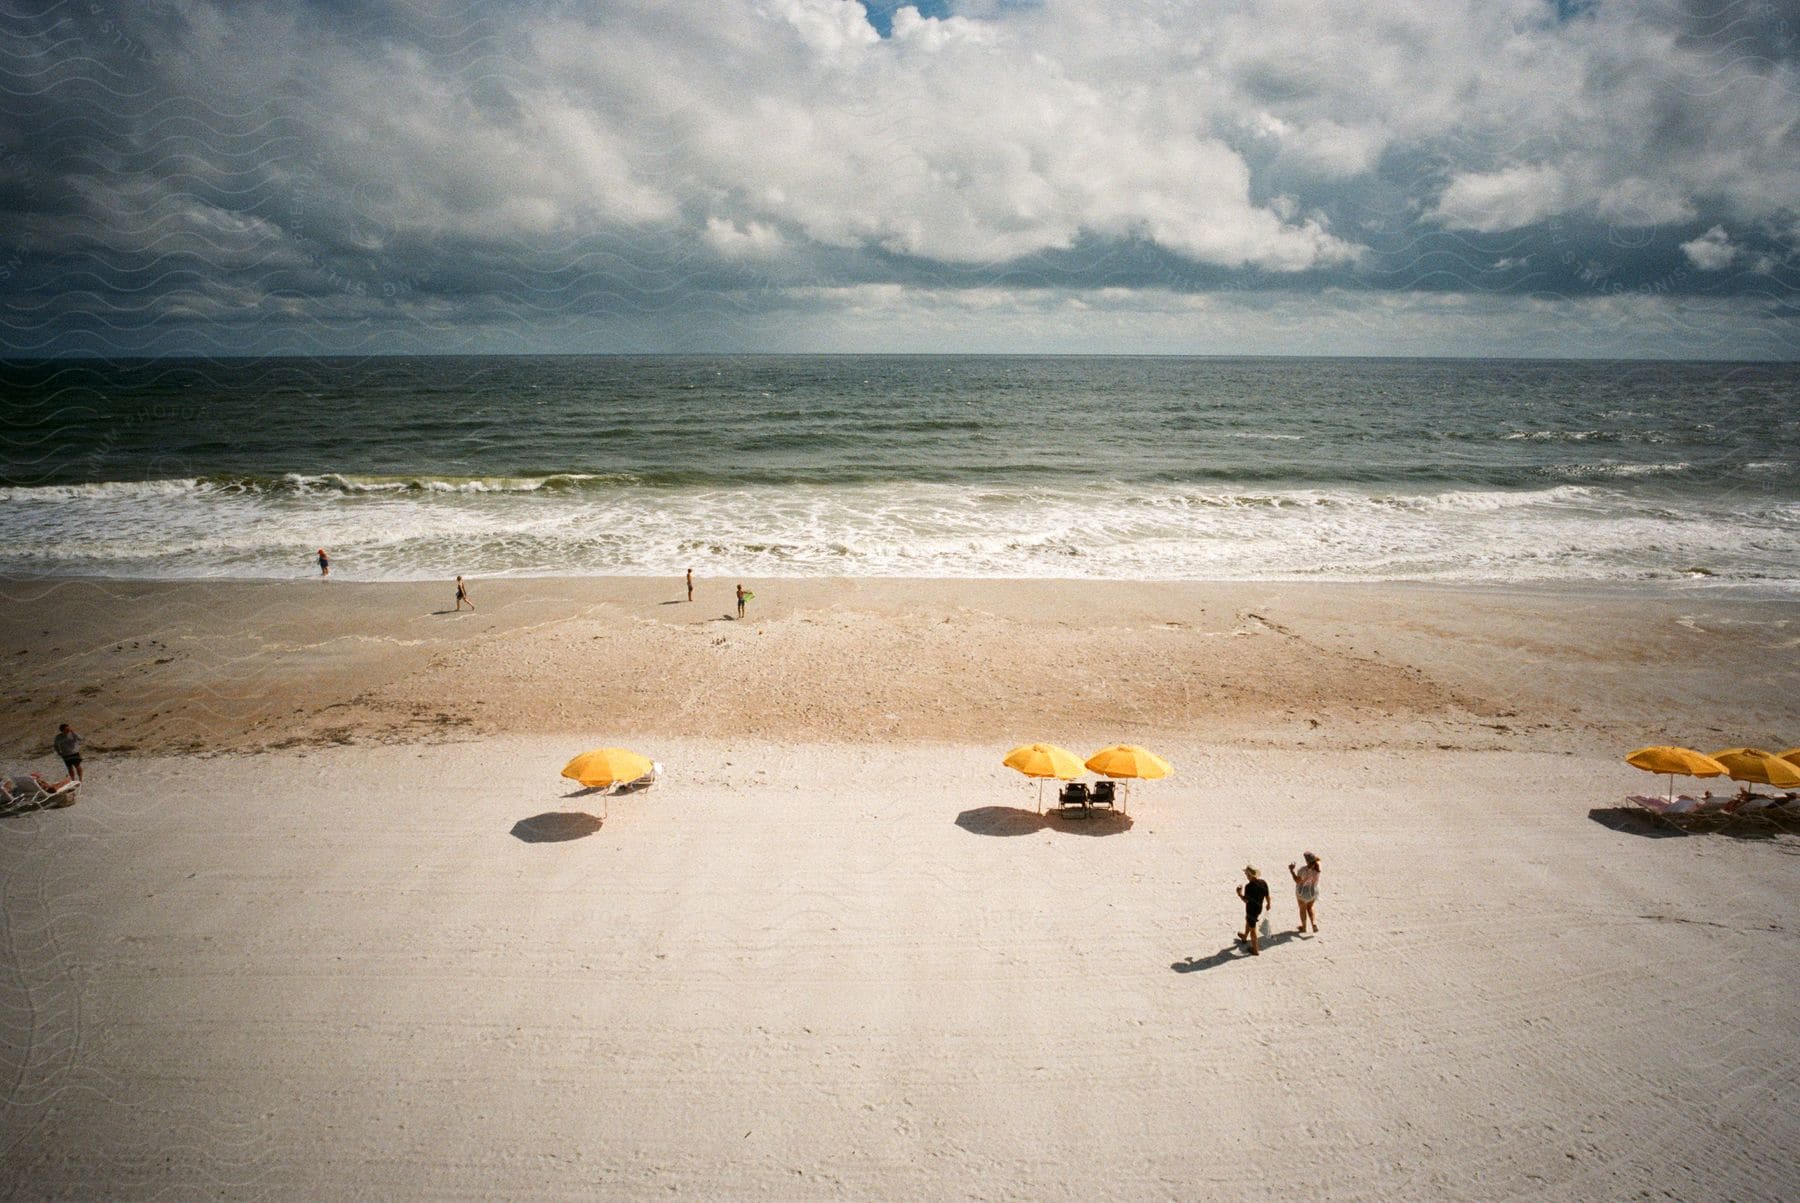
327	923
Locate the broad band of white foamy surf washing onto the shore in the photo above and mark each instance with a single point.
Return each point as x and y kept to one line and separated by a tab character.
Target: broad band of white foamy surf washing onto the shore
1570	532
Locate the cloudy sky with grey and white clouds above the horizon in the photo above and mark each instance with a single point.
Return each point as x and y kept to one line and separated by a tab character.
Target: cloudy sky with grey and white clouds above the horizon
1612	179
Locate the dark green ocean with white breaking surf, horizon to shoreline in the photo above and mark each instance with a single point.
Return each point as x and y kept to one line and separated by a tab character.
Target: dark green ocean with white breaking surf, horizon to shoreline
847	466
